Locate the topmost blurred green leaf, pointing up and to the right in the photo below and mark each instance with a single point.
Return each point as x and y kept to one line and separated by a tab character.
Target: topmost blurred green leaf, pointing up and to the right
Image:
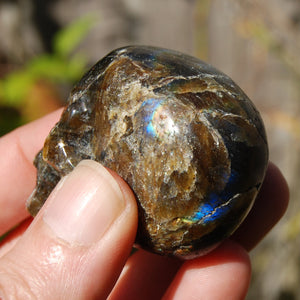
67	39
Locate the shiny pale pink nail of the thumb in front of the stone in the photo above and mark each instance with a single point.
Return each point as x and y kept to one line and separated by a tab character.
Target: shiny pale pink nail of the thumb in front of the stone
84	204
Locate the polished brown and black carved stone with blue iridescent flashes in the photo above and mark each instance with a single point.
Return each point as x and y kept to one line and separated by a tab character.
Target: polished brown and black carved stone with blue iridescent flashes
183	135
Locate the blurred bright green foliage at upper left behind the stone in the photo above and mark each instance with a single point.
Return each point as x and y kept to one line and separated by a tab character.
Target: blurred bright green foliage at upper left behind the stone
63	65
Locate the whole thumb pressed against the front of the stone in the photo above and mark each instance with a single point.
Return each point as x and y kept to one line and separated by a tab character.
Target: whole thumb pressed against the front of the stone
77	245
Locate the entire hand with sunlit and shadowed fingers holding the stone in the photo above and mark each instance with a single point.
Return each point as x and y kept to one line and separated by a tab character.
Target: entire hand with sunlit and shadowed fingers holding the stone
78	244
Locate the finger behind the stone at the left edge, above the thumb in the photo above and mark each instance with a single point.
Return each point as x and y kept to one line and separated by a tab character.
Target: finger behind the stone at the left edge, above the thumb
17	172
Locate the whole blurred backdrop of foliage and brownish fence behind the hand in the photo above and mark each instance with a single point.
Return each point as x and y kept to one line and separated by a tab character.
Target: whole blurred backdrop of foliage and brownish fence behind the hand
46	46
